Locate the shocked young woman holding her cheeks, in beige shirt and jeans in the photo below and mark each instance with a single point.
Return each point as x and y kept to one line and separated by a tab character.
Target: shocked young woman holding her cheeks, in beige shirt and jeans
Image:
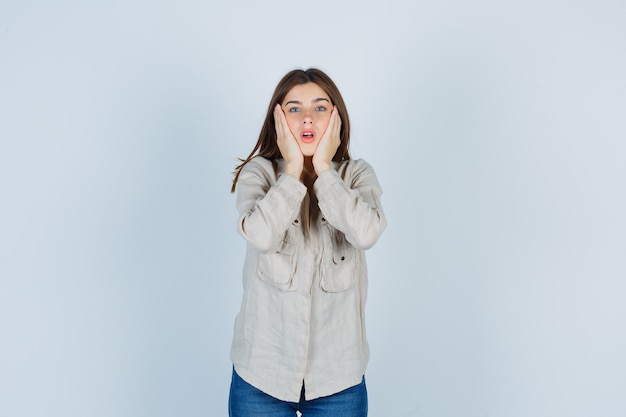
307	212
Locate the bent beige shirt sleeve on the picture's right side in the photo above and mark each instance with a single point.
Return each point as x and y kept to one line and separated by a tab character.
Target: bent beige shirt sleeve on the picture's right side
350	202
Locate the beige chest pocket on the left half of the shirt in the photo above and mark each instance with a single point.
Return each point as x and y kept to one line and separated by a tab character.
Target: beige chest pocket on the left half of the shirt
279	268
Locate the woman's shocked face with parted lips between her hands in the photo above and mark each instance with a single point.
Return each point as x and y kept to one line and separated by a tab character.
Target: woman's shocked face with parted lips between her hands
307	109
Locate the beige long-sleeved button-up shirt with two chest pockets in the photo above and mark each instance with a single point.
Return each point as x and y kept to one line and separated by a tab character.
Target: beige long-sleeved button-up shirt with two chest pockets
305	278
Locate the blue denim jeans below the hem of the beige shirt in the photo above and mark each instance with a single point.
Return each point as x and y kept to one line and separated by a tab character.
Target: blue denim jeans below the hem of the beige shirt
248	401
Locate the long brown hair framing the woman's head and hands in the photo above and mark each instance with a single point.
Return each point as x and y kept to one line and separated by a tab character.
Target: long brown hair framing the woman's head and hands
267	146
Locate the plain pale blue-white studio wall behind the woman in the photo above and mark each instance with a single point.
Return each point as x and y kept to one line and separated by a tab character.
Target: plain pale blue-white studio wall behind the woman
498	134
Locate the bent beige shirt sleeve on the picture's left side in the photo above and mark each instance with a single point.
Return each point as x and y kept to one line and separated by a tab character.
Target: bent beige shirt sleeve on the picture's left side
266	206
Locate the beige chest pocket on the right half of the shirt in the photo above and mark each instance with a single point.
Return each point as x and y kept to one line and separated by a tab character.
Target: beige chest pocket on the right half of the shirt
341	268
